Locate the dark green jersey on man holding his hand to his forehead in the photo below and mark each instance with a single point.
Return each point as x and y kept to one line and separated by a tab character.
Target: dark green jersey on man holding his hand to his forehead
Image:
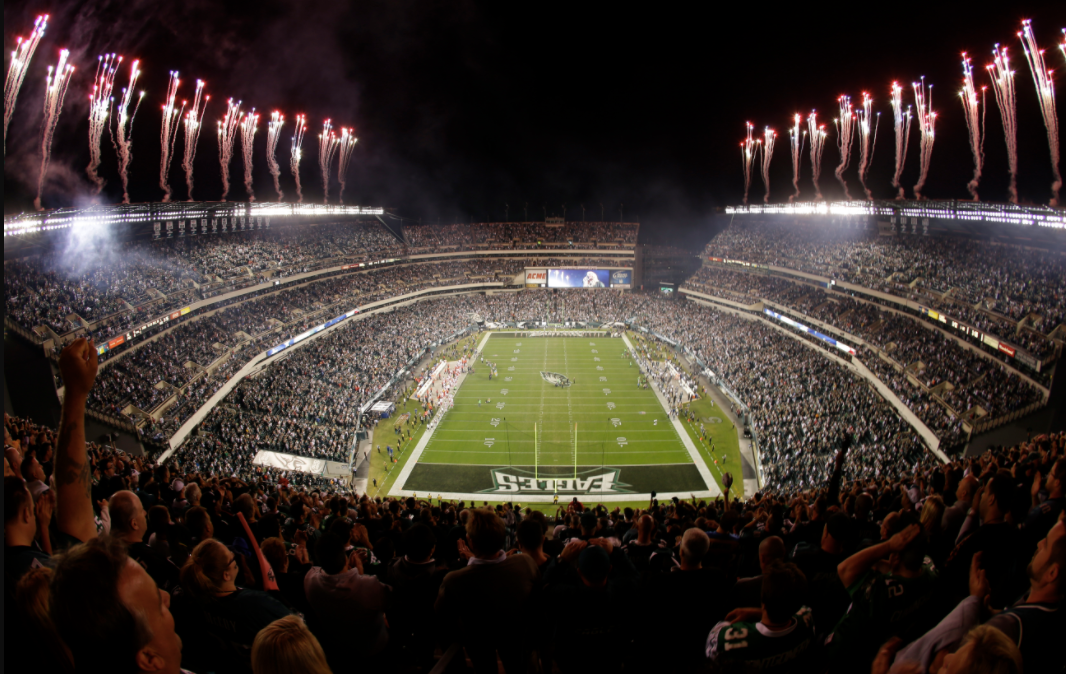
882	606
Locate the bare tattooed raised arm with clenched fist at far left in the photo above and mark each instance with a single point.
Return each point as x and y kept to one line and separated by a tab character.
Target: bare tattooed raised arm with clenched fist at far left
74	475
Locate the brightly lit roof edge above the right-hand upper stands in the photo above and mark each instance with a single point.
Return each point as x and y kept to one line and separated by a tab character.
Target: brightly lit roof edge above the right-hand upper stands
970	217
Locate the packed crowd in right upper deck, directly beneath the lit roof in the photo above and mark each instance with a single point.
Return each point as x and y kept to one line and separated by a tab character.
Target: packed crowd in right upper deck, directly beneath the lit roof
1011	281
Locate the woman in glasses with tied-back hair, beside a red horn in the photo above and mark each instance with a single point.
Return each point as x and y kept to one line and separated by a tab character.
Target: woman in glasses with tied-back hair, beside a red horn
234	616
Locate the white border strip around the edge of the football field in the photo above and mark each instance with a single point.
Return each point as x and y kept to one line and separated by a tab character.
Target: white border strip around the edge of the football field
714	492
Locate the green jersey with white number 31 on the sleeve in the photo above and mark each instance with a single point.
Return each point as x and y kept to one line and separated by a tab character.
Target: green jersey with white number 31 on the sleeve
755	648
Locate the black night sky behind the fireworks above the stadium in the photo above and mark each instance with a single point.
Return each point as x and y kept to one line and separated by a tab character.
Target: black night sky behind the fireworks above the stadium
464	107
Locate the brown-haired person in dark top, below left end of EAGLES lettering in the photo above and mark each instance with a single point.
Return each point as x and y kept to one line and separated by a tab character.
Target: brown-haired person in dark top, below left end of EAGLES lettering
492	584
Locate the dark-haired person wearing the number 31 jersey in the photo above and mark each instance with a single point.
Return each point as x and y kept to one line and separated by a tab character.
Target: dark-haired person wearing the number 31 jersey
778	637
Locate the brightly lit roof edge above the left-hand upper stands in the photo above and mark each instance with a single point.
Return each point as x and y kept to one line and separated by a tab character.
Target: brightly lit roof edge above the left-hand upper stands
177	212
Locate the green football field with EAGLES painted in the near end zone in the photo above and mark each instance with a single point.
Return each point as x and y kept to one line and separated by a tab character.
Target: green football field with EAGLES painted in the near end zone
562	416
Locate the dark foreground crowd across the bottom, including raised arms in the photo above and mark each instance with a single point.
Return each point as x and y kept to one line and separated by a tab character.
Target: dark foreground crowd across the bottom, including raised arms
957	569
